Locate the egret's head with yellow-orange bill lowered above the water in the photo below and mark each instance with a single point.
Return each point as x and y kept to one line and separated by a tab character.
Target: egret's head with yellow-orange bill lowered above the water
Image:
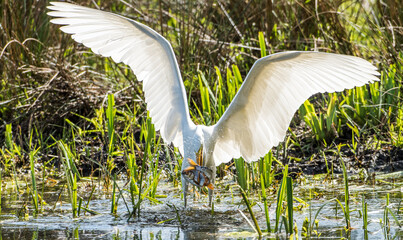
196	173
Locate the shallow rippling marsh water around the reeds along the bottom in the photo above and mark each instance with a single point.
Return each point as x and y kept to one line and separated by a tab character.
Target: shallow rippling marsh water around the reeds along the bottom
169	220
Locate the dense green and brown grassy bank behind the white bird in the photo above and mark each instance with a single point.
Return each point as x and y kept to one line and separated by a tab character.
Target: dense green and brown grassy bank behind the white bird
55	89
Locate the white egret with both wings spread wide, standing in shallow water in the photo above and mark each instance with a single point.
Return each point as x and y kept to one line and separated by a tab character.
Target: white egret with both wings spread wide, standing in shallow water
259	115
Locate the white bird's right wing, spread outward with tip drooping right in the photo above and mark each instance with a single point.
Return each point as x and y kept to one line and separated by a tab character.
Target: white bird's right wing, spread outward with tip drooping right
276	86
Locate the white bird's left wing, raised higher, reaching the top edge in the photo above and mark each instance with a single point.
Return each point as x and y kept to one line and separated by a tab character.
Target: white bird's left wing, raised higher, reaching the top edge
148	54
